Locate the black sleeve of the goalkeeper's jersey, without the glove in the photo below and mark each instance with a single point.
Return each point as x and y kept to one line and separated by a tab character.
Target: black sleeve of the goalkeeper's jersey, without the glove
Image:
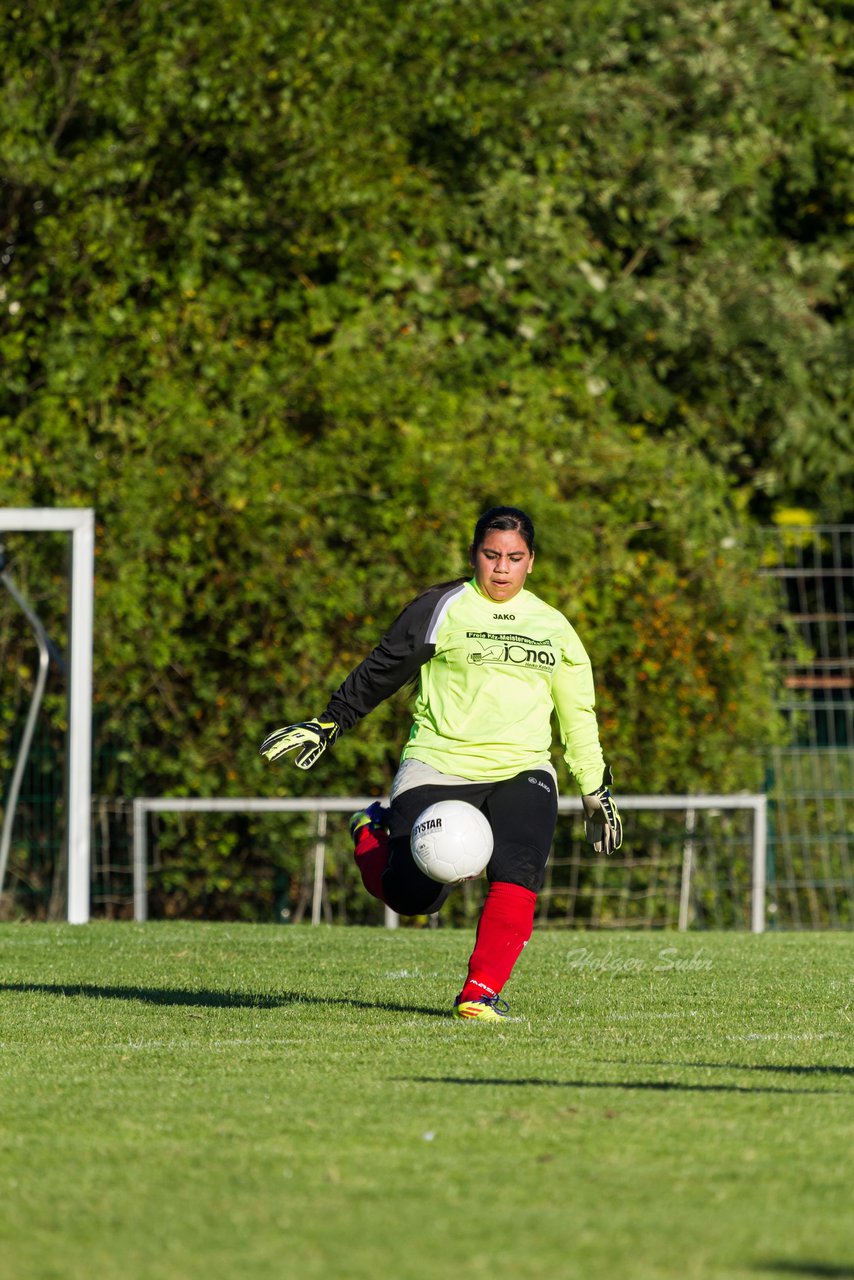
400	656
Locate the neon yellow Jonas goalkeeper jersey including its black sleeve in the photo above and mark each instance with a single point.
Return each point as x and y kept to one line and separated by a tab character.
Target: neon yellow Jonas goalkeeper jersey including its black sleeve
491	676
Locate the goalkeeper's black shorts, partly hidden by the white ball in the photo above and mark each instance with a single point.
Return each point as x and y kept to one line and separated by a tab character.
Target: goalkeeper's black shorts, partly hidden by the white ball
522	812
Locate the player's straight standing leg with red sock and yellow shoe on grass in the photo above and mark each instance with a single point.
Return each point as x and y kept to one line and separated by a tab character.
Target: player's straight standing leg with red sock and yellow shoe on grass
523	813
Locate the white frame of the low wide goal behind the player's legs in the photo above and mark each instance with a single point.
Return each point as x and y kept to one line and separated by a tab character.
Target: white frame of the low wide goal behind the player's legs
323	806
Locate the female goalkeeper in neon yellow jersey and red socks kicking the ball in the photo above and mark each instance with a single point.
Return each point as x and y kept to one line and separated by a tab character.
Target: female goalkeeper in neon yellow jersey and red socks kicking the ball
492	664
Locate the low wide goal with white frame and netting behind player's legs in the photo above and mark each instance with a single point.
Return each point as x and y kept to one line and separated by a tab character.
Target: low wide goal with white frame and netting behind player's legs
687	862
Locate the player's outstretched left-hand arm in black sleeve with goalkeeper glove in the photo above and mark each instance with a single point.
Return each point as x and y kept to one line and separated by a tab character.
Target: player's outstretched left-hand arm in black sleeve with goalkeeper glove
400	655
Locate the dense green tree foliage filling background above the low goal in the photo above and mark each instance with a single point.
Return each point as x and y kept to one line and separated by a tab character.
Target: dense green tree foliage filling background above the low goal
291	292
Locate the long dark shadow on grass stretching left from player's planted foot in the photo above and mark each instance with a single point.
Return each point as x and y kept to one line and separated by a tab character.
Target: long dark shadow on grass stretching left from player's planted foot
212	999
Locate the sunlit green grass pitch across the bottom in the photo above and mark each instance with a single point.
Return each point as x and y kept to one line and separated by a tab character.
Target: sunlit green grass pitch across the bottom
184	1101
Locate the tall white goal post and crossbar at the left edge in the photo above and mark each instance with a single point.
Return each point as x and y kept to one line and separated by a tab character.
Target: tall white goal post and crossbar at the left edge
80	523
